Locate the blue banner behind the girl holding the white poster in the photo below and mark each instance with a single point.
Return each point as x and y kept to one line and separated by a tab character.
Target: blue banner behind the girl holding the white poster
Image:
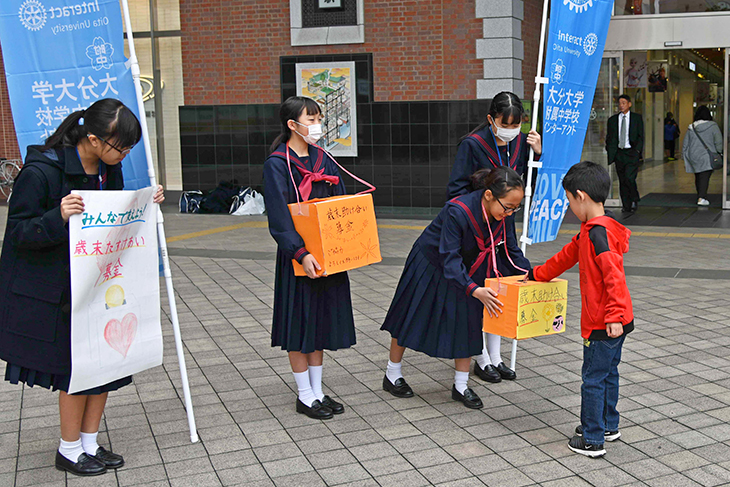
61	56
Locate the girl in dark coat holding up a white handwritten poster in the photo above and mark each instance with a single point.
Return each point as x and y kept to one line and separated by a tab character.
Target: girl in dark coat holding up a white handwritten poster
84	153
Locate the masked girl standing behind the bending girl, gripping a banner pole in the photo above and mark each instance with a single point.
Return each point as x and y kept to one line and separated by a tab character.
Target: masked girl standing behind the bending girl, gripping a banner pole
496	142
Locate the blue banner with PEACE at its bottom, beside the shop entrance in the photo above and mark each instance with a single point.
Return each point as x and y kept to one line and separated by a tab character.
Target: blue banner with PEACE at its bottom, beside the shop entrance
577	36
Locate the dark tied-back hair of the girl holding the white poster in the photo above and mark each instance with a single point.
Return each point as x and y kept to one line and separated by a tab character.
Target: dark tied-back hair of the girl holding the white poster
107	118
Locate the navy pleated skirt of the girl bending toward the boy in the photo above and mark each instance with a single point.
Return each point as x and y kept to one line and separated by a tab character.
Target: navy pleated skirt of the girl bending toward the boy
432	315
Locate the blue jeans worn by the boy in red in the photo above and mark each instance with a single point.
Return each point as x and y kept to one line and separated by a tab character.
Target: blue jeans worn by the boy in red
599	391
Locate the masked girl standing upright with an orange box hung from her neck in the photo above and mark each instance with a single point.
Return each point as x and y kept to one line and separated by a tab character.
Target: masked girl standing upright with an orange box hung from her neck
311	313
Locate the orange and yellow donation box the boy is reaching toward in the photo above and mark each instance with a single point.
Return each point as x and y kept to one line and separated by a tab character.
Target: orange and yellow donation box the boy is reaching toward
530	308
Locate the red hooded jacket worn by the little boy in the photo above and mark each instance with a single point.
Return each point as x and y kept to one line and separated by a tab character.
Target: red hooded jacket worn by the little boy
598	249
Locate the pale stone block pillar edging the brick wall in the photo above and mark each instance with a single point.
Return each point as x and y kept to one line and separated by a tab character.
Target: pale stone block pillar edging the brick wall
501	47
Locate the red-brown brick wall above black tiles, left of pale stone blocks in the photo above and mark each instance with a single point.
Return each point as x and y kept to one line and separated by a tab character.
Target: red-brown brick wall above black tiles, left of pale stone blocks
422	50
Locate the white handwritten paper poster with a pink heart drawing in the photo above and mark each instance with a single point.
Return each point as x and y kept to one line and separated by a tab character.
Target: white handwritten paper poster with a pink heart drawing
115	293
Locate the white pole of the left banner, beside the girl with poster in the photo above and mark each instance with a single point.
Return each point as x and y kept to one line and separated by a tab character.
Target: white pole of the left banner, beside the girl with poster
134	64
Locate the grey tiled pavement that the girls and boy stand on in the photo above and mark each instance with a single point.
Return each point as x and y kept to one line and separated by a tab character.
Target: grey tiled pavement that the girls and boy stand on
675	385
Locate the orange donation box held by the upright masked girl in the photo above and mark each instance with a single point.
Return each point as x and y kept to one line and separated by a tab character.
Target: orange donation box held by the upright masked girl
340	232
